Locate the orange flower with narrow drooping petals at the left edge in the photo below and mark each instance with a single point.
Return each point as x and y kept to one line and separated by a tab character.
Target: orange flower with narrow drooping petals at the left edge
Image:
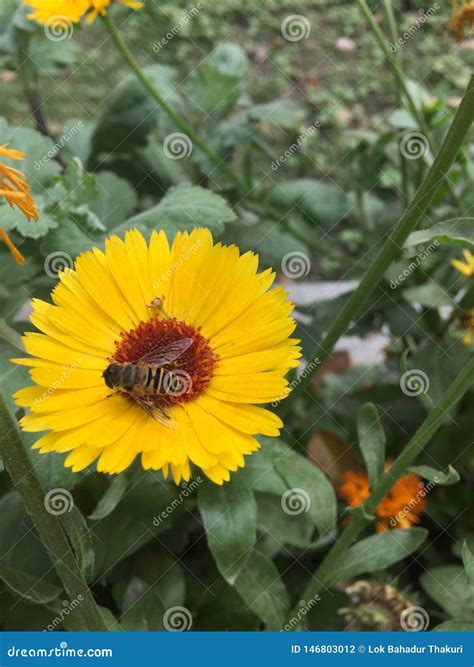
16	191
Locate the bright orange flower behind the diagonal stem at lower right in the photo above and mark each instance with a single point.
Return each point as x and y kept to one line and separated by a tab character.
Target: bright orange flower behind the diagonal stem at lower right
401	507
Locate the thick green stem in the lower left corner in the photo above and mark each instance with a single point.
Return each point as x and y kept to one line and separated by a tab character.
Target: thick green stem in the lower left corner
49	529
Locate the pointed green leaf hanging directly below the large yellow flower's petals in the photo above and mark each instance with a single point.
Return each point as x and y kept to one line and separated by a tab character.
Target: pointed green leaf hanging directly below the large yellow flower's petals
229	515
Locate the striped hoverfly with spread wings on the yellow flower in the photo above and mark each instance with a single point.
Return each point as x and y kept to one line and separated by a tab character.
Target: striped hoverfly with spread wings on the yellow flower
146	379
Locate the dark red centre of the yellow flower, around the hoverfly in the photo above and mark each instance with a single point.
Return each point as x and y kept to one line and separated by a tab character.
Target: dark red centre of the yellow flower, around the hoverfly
187	376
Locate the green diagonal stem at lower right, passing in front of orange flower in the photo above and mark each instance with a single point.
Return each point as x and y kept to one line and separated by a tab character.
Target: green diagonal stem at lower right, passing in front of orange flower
322	576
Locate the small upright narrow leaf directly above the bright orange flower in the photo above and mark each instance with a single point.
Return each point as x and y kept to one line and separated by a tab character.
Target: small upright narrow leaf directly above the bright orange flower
371	441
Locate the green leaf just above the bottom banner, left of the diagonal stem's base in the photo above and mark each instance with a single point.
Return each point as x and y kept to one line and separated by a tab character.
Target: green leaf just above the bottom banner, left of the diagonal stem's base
262	589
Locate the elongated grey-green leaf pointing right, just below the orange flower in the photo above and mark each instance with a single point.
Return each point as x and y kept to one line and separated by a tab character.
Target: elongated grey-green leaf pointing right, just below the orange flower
378	552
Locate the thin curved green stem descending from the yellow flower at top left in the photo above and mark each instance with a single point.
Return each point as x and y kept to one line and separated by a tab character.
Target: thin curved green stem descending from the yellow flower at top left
179	122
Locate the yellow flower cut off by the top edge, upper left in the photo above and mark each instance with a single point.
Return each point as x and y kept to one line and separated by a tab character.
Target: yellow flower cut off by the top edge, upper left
58	12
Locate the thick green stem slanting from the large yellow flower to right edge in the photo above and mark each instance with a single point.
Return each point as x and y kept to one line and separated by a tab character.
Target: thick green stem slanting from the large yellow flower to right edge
394	243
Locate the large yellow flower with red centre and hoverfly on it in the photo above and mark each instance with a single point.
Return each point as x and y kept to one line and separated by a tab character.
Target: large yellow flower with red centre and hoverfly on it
122	309
